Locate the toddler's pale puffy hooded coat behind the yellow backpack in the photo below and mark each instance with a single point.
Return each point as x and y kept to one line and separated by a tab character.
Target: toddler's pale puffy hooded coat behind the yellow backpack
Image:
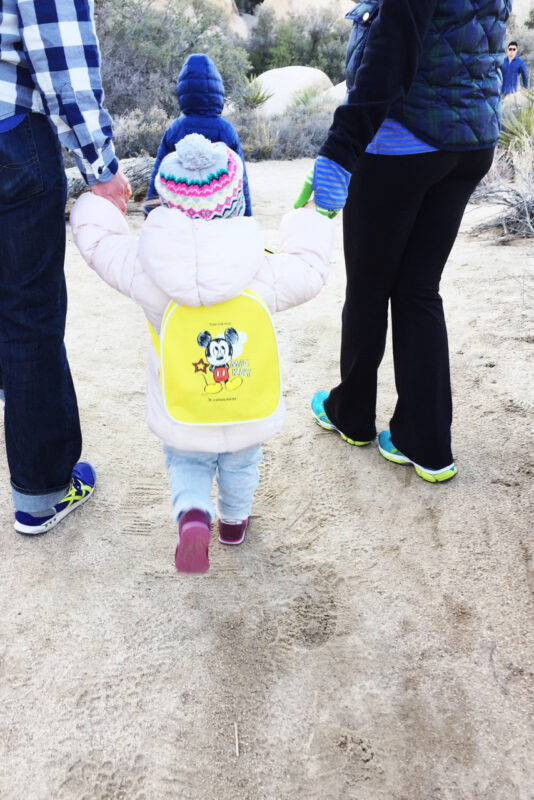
194	263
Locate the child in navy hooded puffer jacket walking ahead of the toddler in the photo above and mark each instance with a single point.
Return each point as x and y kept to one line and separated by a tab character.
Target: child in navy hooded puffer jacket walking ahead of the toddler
200	92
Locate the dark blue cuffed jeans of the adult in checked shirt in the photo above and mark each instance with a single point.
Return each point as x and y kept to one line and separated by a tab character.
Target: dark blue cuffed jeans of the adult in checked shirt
42	426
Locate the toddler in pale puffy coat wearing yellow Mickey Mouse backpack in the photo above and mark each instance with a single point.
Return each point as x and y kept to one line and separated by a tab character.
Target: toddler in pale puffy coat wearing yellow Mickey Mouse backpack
200	272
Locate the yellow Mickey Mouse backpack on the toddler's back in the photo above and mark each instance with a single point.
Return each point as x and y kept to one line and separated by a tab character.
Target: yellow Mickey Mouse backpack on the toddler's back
219	364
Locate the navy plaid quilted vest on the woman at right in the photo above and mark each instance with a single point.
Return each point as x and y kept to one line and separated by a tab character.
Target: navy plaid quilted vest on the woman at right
454	102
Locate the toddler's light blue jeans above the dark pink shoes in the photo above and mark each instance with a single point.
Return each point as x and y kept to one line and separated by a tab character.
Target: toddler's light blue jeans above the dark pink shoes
191	477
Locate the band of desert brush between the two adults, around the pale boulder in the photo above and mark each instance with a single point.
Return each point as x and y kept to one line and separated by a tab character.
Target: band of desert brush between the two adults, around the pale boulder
144	45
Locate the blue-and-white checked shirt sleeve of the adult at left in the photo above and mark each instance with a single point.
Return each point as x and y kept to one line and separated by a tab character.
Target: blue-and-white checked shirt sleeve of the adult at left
61	46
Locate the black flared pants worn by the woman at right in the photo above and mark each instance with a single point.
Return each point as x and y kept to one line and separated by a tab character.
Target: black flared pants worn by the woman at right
400	222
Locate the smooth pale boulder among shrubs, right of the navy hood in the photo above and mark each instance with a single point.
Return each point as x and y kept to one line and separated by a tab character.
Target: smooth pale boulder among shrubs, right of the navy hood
287	82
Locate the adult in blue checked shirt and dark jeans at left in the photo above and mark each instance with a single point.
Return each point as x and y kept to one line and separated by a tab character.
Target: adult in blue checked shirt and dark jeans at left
50	95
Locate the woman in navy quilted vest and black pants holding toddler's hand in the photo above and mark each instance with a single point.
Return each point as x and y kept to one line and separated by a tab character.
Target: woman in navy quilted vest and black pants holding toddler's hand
414	137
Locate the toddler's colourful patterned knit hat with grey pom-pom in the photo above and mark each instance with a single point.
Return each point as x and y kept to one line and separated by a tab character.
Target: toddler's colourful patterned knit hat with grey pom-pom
202	179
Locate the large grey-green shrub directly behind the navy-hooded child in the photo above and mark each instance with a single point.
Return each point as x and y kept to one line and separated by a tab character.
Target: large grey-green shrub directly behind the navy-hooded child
144	46
